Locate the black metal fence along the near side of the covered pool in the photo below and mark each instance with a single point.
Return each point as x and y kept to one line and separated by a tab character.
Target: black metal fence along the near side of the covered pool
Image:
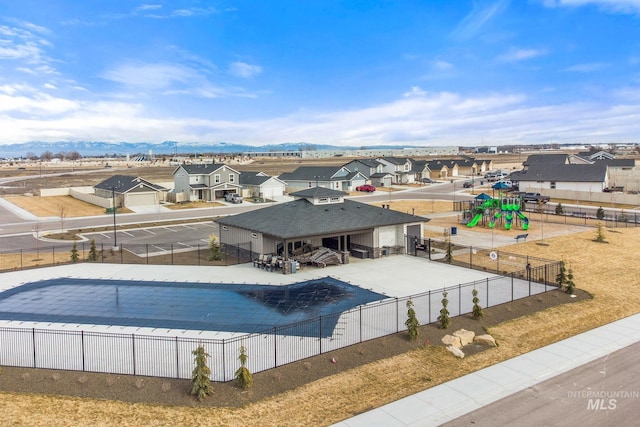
171	357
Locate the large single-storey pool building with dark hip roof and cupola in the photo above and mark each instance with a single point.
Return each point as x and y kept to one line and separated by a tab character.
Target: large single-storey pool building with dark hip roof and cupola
320	217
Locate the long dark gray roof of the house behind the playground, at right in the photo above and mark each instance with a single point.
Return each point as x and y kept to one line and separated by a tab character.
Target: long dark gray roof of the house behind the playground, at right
596	172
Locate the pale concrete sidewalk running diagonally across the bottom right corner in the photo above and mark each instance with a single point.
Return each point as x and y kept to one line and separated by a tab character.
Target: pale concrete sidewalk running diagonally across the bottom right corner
463	395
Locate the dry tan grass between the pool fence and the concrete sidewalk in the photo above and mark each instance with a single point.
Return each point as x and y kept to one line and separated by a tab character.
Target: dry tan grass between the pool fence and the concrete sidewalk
609	271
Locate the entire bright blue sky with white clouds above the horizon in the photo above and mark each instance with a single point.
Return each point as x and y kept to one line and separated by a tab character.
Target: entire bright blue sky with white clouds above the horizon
359	73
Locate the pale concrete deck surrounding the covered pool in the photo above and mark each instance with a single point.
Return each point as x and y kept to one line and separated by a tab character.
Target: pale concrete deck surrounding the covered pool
394	276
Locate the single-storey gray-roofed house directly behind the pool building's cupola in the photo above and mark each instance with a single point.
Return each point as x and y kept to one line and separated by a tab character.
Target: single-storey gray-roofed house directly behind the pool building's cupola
334	177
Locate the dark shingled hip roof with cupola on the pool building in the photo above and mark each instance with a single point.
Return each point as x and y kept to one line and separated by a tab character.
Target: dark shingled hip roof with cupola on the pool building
301	218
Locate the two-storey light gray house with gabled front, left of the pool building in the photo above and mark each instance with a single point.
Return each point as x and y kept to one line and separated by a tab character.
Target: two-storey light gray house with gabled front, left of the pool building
207	182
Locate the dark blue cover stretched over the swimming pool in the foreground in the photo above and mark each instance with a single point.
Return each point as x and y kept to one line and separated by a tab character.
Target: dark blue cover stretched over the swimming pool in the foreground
198	306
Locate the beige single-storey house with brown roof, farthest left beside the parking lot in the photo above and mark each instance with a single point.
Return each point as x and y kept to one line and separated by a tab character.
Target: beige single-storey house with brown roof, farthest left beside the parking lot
130	191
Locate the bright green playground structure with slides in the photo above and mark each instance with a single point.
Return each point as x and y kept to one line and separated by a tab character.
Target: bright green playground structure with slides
491	211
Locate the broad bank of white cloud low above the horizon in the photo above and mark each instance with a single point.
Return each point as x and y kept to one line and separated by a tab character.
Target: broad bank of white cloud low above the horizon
417	117
